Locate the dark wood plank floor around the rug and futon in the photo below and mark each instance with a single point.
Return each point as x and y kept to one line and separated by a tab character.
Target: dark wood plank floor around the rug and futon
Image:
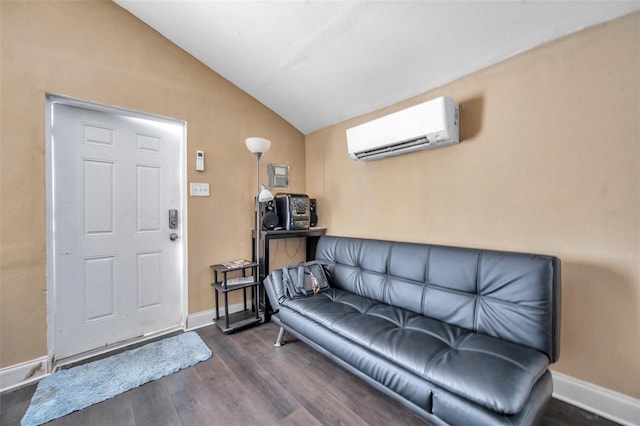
249	381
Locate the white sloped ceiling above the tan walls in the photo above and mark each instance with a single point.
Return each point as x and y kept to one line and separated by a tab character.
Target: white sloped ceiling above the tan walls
317	63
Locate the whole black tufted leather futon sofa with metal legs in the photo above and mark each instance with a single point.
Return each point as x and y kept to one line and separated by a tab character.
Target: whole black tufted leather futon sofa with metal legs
460	336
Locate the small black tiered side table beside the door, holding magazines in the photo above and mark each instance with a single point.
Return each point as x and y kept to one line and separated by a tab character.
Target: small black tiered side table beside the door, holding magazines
228	278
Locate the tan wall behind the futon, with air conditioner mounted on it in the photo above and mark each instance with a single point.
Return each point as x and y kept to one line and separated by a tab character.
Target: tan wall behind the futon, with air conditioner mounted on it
549	162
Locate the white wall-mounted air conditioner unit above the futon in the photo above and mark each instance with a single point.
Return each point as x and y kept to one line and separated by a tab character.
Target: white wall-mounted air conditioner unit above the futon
427	125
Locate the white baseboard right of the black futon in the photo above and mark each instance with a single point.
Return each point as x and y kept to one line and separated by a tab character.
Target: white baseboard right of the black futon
609	404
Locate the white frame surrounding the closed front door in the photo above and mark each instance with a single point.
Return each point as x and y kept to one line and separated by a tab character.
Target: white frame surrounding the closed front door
50	100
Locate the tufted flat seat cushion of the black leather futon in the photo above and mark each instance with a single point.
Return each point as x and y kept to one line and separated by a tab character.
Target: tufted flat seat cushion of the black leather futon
488	371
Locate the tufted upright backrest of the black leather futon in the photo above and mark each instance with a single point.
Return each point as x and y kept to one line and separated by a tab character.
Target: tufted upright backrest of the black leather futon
512	296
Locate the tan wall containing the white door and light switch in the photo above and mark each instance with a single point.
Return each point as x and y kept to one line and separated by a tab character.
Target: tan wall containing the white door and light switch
98	51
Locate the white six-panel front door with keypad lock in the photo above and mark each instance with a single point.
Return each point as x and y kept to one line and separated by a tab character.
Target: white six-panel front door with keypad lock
117	271
